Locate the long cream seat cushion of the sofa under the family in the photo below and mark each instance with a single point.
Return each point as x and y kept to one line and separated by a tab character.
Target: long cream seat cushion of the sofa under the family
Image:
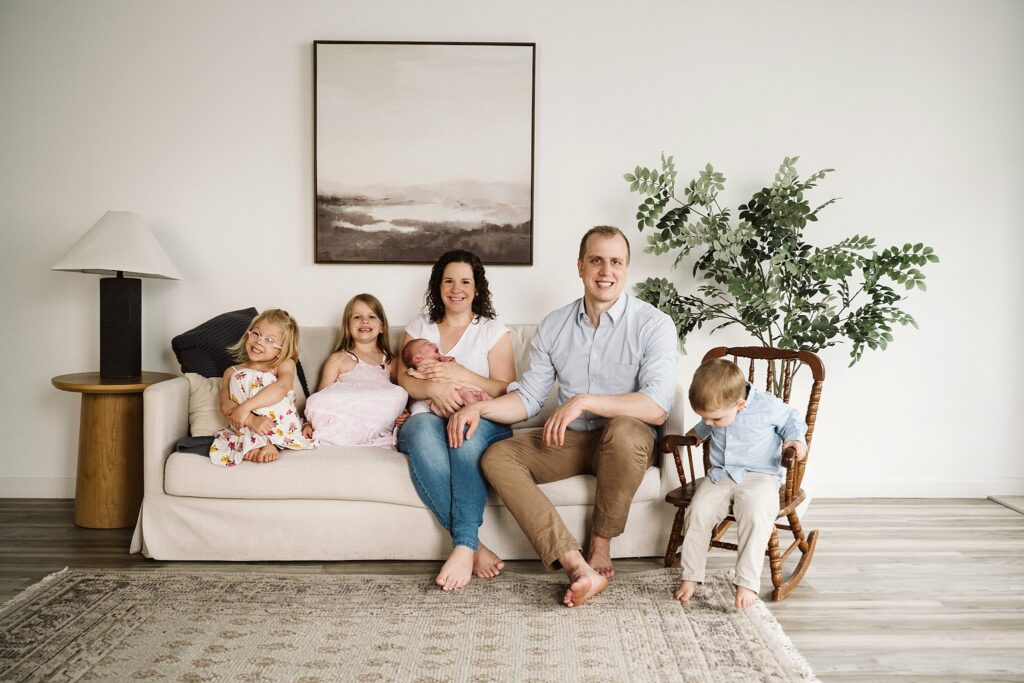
350	474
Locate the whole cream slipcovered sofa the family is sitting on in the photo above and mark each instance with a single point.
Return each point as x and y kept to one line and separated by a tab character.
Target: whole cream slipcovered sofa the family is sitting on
344	503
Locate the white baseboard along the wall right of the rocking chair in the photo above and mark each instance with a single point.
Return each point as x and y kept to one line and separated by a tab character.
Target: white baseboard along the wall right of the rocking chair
915	489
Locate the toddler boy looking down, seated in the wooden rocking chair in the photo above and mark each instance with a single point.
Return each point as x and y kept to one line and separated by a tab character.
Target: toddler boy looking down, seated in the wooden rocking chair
749	432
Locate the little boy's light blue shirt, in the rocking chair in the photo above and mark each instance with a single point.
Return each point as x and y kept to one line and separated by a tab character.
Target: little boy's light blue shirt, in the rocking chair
753	443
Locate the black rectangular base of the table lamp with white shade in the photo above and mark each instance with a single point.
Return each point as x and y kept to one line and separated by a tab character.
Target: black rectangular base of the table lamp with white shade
120	328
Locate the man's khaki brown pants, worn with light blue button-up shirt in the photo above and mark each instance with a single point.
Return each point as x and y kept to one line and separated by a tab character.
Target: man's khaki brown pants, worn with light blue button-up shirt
618	456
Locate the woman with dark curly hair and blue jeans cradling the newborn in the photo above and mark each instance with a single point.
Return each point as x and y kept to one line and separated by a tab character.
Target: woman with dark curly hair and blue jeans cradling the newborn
459	319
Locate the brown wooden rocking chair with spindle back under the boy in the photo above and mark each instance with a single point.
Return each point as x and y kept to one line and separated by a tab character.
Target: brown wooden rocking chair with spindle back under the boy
791	495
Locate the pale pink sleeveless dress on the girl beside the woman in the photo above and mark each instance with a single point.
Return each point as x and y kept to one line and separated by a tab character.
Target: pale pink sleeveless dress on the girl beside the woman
360	409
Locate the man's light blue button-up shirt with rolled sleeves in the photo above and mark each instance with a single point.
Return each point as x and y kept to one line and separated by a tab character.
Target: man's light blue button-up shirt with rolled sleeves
634	349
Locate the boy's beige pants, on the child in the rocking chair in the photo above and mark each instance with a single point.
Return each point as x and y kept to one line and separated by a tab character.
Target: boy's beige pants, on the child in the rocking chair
755	505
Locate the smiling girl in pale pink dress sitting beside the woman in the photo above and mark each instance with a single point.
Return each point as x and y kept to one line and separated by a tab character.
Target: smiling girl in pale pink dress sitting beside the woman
359	402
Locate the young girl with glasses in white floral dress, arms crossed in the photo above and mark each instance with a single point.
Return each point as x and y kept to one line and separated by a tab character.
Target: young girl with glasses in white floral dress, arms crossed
258	396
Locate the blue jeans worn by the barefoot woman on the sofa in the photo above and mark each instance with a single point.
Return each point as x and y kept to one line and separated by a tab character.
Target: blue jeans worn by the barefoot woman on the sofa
450	481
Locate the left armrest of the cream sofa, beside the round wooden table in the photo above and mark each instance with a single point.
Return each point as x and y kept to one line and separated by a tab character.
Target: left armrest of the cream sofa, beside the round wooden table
165	420
